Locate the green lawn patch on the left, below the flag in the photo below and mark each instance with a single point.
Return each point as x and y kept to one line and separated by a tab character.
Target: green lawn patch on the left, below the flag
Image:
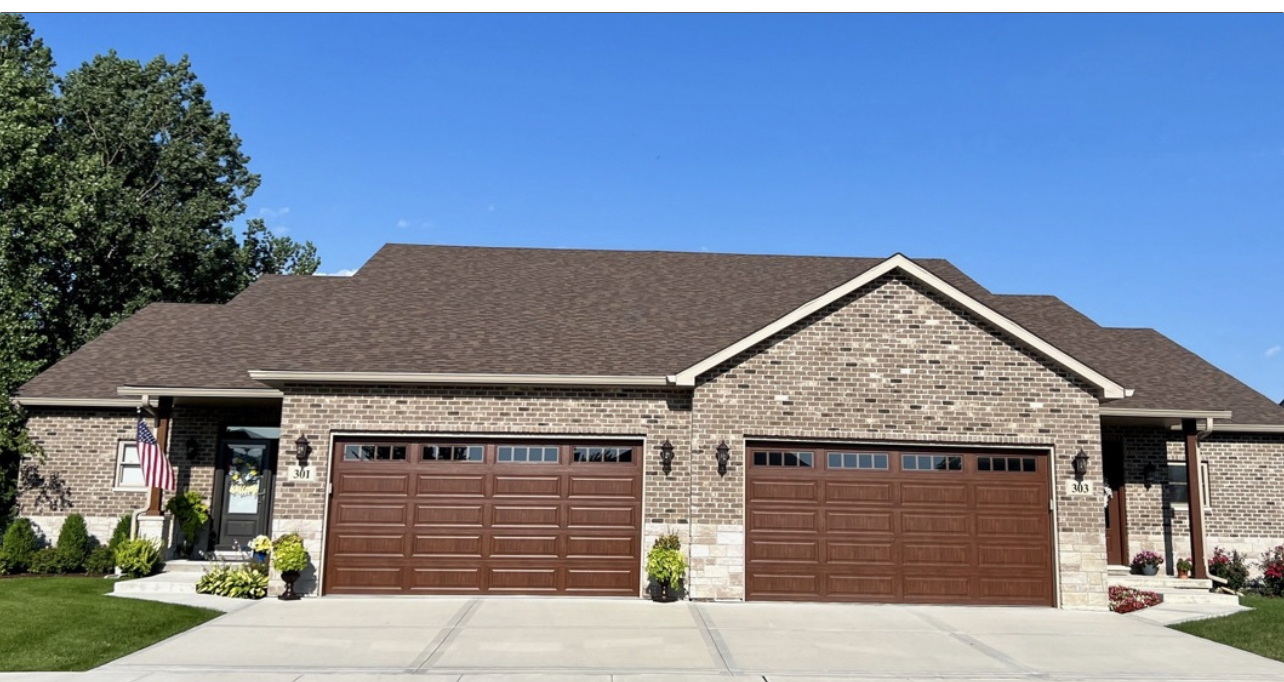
71	625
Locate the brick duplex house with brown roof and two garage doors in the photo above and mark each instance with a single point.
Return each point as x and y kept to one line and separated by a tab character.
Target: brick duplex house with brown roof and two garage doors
492	421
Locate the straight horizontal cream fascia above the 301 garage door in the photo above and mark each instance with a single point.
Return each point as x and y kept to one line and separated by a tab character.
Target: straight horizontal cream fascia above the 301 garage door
269	377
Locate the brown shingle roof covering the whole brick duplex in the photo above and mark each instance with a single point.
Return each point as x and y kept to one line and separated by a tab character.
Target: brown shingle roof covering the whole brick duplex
558	311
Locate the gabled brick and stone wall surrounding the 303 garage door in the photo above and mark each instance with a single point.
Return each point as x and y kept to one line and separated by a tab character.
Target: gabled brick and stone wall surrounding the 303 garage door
890	363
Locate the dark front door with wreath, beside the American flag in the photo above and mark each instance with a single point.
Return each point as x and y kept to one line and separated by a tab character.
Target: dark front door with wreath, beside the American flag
245	484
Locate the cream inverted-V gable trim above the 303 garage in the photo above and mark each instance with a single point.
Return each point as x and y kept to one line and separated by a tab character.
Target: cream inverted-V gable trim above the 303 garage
1110	390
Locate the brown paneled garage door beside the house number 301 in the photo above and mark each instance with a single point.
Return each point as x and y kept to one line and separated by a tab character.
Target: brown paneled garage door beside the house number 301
449	517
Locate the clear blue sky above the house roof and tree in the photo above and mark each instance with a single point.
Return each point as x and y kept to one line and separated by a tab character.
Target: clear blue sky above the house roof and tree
1134	166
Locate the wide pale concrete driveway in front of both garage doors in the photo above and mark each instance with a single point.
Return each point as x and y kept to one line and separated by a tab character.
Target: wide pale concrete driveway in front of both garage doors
438	640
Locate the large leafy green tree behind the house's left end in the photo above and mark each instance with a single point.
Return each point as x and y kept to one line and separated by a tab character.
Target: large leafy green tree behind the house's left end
120	184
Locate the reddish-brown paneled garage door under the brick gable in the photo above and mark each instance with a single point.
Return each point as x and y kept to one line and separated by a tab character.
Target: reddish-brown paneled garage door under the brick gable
834	523
